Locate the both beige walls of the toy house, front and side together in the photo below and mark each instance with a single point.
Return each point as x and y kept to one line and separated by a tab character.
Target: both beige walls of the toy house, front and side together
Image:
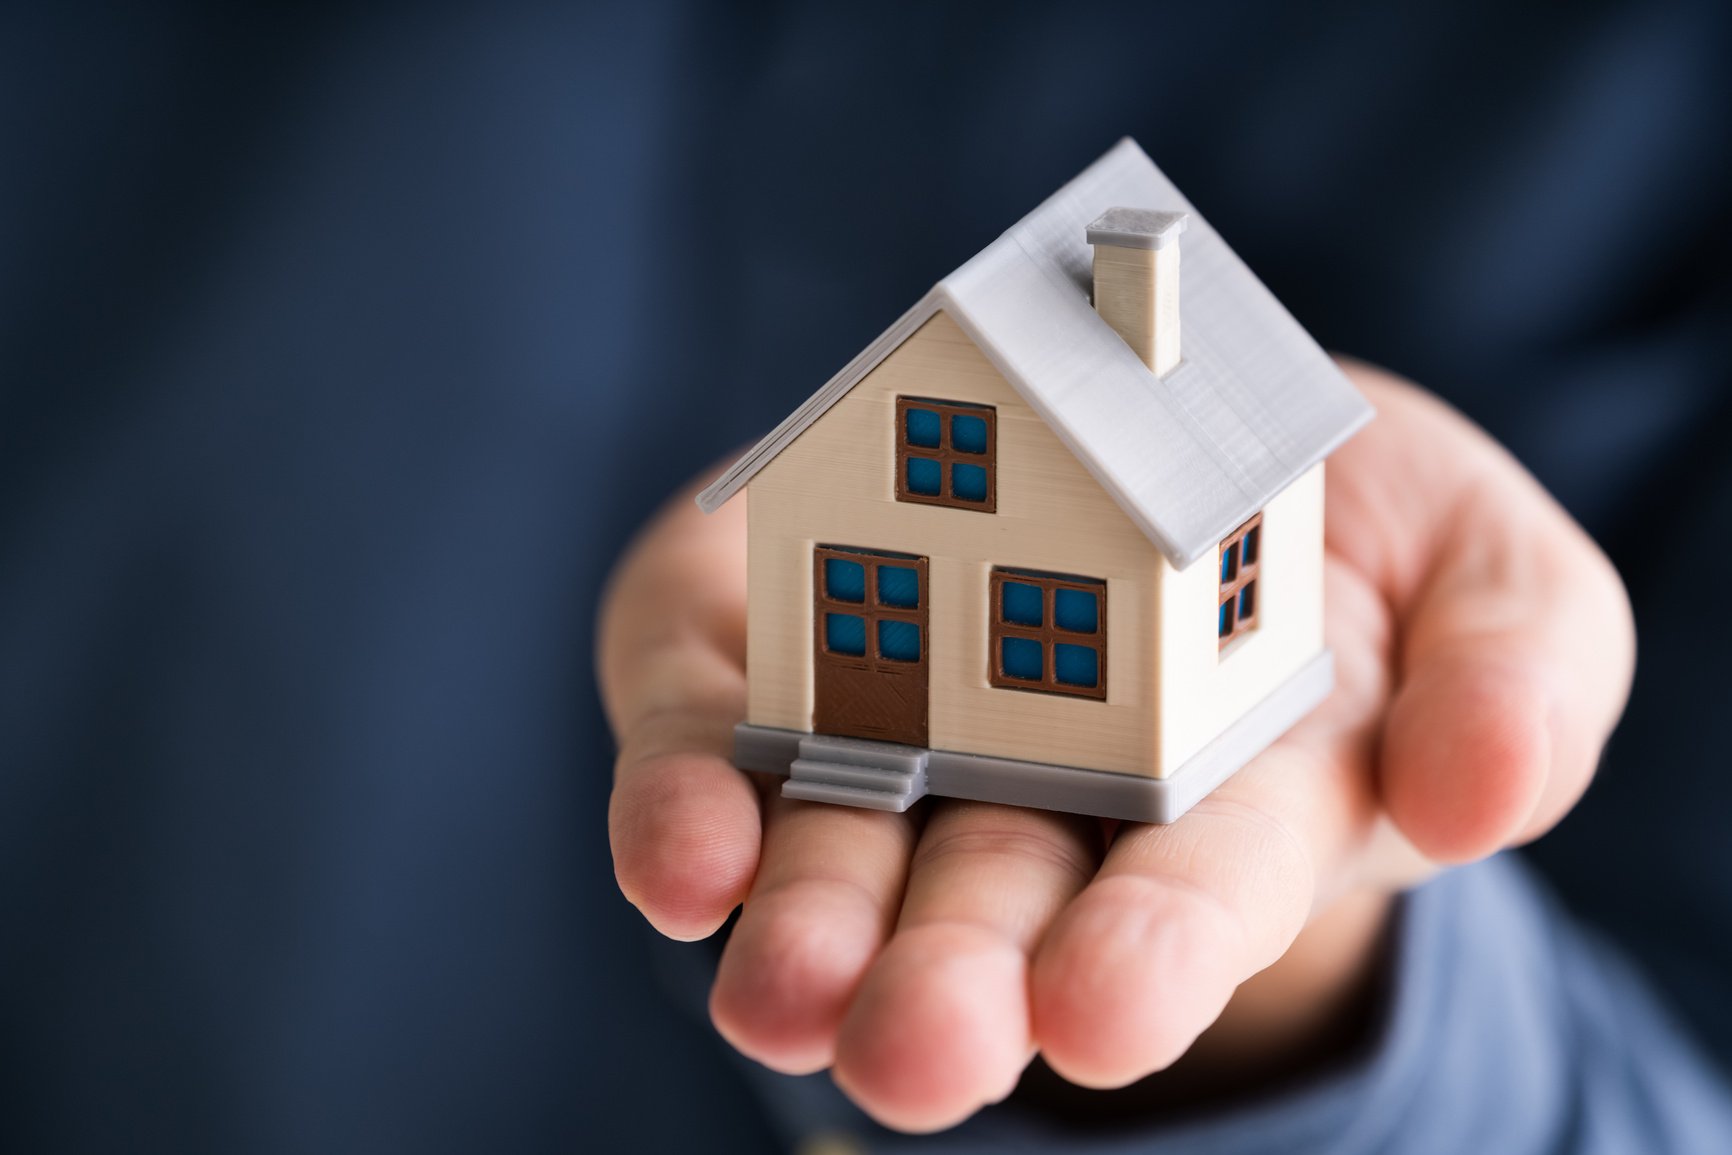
836	486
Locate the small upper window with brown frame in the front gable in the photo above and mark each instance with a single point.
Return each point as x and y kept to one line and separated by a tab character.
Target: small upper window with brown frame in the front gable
947	455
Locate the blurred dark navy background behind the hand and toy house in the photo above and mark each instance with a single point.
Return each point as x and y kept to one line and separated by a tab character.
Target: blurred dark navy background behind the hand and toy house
342	351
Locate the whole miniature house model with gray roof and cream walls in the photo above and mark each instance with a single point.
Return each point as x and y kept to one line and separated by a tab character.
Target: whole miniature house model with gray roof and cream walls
1056	539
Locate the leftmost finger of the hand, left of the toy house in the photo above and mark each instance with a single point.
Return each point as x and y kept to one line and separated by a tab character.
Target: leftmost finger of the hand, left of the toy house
685	825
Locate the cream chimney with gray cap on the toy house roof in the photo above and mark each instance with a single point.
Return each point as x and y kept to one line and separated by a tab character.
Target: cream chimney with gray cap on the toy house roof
1137	281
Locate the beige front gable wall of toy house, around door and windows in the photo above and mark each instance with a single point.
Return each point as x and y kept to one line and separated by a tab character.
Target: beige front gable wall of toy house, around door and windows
836	486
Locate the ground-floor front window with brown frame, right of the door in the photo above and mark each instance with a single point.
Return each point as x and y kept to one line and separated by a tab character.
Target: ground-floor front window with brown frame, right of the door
1049	633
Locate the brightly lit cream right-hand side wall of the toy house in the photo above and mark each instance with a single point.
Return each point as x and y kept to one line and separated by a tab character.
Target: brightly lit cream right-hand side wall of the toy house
1206	690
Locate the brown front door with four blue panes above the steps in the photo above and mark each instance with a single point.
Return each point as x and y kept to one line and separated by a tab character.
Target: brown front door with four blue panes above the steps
870	645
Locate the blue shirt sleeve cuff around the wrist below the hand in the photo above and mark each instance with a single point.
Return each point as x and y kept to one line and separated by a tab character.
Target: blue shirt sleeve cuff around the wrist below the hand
1508	1028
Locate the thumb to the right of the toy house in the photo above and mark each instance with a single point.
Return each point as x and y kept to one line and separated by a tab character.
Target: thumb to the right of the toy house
1516	640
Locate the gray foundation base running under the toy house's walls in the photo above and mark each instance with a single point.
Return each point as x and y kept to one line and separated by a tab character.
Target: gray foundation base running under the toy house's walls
1066	787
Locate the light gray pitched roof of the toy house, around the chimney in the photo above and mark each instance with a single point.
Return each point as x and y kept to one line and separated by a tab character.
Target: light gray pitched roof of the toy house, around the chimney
1189	456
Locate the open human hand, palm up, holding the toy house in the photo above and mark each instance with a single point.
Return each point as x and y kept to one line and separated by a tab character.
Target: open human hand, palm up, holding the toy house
1483	652
